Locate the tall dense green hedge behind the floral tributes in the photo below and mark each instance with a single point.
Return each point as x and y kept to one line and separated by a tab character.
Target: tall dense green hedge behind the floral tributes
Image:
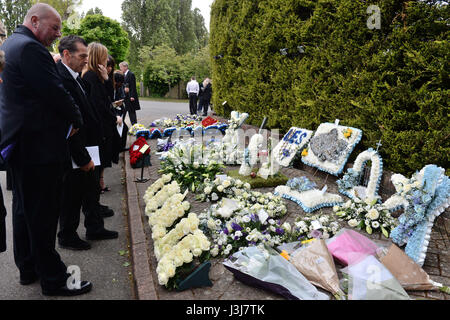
393	82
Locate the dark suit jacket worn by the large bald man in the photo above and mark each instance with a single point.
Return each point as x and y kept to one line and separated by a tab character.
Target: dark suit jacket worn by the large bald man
35	109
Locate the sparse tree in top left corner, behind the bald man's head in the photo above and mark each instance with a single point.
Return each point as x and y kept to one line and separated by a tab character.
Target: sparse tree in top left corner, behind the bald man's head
13	12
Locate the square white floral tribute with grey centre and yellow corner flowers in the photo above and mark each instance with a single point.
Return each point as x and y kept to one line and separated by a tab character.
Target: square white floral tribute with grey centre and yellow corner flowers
331	147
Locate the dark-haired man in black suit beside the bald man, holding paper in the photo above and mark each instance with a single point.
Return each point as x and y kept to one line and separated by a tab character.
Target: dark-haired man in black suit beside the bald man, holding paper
80	185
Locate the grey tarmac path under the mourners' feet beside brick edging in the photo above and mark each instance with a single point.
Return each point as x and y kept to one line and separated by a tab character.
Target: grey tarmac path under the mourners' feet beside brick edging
109	272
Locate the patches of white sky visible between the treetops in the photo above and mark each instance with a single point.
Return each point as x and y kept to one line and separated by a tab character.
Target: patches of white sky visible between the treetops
113	8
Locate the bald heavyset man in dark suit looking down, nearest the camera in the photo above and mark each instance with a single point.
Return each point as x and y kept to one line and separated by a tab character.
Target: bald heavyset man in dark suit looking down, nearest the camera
36	116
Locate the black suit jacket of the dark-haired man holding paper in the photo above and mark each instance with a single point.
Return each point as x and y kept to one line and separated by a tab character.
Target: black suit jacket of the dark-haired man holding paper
90	133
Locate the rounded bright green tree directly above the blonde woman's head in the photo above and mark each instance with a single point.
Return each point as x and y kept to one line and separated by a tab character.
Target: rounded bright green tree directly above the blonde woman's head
105	30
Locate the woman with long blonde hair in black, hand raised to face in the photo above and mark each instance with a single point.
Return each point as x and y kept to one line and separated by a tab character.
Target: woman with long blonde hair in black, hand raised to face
95	75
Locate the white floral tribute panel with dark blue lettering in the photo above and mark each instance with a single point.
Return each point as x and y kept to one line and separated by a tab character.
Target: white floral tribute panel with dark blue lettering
292	142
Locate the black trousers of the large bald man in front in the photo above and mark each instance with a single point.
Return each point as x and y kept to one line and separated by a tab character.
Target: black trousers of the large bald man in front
37	195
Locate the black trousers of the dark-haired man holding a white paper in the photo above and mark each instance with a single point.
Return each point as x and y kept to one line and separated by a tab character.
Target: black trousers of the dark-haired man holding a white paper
80	188
